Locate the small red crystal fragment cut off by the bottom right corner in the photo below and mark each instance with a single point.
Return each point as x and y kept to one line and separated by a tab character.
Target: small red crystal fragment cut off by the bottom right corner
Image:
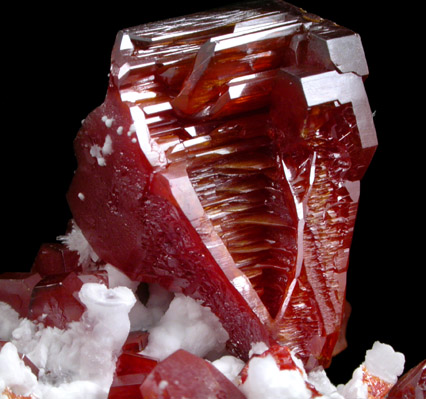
412	385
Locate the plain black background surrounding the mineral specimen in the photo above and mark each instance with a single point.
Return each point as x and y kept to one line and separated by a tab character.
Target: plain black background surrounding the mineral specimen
55	64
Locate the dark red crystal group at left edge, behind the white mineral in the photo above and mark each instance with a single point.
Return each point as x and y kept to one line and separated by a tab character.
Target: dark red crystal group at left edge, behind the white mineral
49	293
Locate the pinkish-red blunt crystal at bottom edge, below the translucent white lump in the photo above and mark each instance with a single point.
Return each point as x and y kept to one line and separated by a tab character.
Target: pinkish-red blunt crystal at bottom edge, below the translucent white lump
185	375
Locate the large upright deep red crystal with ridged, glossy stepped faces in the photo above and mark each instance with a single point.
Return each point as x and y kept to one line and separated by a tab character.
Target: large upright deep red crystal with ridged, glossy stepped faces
227	157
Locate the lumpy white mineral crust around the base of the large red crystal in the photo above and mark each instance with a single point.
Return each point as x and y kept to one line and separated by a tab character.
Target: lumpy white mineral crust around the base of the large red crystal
79	362
